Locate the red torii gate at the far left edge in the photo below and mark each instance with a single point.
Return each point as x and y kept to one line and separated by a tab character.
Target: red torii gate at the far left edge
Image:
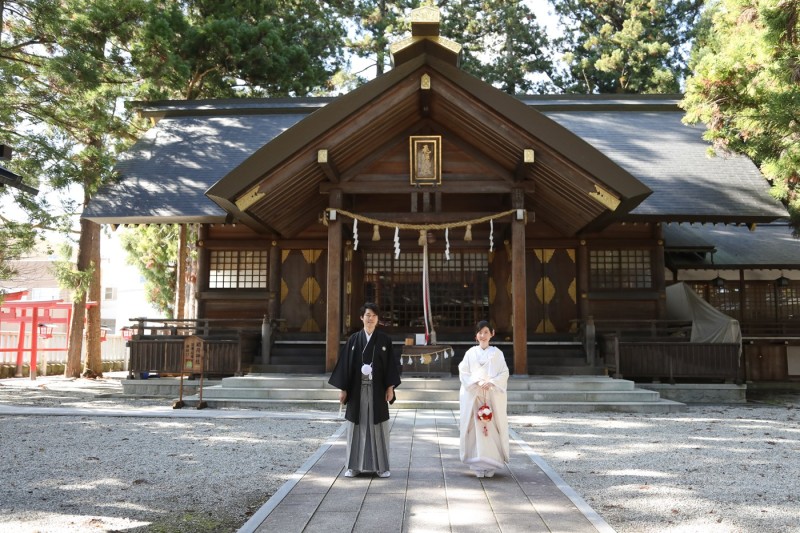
34	313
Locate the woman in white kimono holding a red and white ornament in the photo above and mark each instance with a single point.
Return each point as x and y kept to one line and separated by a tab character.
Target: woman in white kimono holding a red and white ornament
484	378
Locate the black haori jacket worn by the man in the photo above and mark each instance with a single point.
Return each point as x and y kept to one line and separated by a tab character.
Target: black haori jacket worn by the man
385	372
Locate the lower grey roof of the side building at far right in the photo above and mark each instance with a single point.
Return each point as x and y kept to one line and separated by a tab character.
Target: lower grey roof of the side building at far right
768	246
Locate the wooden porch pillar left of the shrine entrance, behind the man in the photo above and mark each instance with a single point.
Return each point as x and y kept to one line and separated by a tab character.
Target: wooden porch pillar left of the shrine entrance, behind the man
334	300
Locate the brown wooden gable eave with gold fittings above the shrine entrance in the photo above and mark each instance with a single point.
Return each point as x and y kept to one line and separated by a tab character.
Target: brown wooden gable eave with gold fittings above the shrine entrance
571	185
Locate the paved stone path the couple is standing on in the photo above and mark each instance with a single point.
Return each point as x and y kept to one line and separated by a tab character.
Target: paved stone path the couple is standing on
430	490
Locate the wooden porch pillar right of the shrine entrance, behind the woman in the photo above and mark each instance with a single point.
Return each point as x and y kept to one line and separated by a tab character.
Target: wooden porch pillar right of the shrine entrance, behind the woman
520	320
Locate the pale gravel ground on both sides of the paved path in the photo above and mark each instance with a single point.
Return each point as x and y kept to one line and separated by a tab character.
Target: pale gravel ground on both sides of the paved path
712	469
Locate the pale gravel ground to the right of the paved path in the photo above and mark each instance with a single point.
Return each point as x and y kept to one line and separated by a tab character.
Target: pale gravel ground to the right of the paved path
712	469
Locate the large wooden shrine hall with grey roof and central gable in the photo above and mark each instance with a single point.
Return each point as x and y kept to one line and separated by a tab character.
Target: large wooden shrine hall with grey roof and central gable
443	200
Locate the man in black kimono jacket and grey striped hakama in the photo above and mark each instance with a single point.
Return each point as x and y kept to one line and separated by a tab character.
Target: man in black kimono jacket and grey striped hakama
367	373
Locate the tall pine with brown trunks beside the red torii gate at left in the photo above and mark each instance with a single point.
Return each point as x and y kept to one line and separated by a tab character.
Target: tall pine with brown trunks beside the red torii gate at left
64	73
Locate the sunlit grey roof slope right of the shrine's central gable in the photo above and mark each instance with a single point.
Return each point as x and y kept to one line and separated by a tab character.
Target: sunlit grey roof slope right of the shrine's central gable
672	159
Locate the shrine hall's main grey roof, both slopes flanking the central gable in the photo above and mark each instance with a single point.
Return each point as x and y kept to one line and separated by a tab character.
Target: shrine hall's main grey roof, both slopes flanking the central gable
167	172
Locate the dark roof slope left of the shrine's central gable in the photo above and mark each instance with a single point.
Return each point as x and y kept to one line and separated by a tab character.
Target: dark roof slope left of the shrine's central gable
165	175
